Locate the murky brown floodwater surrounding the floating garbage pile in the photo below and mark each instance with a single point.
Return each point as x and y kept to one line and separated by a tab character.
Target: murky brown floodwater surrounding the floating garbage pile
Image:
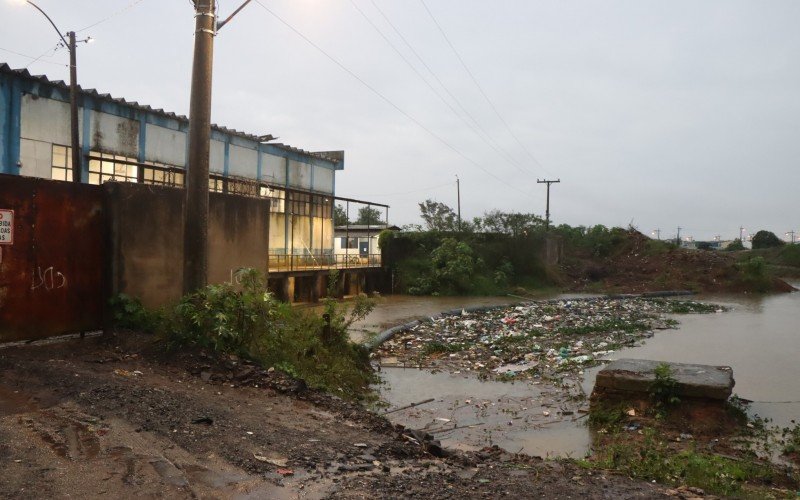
759	338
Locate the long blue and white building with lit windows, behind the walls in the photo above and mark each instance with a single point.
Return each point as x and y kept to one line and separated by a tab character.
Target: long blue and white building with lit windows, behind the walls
129	142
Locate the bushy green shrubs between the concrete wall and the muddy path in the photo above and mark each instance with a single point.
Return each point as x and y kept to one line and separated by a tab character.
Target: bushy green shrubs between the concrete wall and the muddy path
247	321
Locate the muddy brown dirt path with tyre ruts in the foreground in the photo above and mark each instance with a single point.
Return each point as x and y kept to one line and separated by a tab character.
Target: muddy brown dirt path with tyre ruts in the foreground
87	419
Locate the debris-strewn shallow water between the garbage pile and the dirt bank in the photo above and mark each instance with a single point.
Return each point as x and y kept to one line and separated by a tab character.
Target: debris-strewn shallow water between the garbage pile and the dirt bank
469	414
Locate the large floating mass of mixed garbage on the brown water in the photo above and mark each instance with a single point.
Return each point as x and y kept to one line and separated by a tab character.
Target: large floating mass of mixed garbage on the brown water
541	340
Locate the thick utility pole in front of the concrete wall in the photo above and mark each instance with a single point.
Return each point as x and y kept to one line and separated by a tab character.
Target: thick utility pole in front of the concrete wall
195	232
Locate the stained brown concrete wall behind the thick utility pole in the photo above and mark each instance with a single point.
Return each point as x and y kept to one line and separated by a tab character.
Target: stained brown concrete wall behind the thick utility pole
146	236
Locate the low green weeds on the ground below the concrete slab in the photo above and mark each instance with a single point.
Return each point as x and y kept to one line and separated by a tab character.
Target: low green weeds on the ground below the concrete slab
652	459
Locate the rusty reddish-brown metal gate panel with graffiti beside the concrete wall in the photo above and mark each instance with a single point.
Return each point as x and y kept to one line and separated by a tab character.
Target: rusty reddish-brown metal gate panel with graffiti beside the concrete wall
52	277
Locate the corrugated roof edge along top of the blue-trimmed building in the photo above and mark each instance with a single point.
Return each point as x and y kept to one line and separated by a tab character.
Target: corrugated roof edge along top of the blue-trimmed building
24	73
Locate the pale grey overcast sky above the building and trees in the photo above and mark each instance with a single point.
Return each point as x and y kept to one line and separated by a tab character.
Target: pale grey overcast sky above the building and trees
651	113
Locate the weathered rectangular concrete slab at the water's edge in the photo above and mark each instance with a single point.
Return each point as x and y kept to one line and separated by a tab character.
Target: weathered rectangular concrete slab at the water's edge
695	381
